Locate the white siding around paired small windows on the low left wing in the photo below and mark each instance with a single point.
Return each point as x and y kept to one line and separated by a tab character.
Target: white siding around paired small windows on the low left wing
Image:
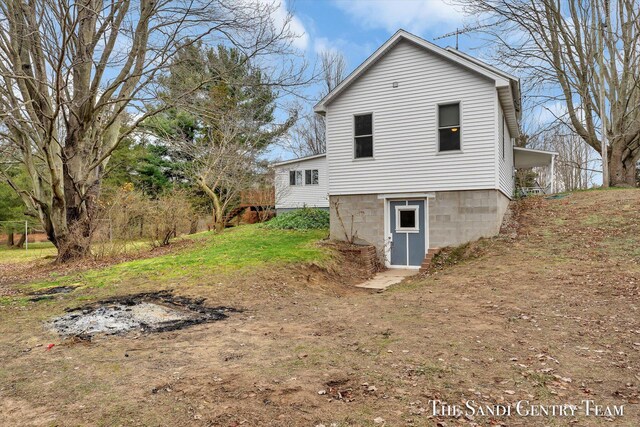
298	196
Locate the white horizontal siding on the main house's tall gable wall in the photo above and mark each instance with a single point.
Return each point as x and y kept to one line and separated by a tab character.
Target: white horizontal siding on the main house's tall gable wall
406	127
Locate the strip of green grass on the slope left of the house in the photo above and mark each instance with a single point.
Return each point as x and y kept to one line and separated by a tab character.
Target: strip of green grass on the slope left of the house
232	250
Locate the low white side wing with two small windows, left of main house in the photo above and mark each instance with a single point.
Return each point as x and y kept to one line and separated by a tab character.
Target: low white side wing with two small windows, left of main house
302	182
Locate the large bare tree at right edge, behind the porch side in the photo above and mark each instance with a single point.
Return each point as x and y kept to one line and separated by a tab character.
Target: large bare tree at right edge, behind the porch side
584	54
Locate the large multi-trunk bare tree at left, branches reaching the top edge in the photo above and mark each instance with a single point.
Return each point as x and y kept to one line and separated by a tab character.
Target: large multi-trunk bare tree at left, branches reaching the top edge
79	76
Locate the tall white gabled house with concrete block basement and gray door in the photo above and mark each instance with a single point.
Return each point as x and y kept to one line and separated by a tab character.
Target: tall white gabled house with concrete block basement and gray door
420	149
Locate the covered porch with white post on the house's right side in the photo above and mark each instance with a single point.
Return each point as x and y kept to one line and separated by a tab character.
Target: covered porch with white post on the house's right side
544	163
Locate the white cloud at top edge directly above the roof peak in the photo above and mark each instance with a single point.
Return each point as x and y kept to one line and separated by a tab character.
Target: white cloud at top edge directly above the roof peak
412	15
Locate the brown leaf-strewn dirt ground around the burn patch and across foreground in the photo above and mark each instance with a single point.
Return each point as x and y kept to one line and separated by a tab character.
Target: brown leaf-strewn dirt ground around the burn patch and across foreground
547	315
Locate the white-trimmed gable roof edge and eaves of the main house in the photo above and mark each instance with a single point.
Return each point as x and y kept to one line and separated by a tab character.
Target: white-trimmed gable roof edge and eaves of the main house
508	85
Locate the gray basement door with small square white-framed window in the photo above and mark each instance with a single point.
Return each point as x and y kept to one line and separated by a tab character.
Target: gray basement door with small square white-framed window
408	232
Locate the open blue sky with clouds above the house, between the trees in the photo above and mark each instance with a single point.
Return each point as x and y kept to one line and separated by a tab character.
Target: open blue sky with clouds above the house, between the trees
356	28
